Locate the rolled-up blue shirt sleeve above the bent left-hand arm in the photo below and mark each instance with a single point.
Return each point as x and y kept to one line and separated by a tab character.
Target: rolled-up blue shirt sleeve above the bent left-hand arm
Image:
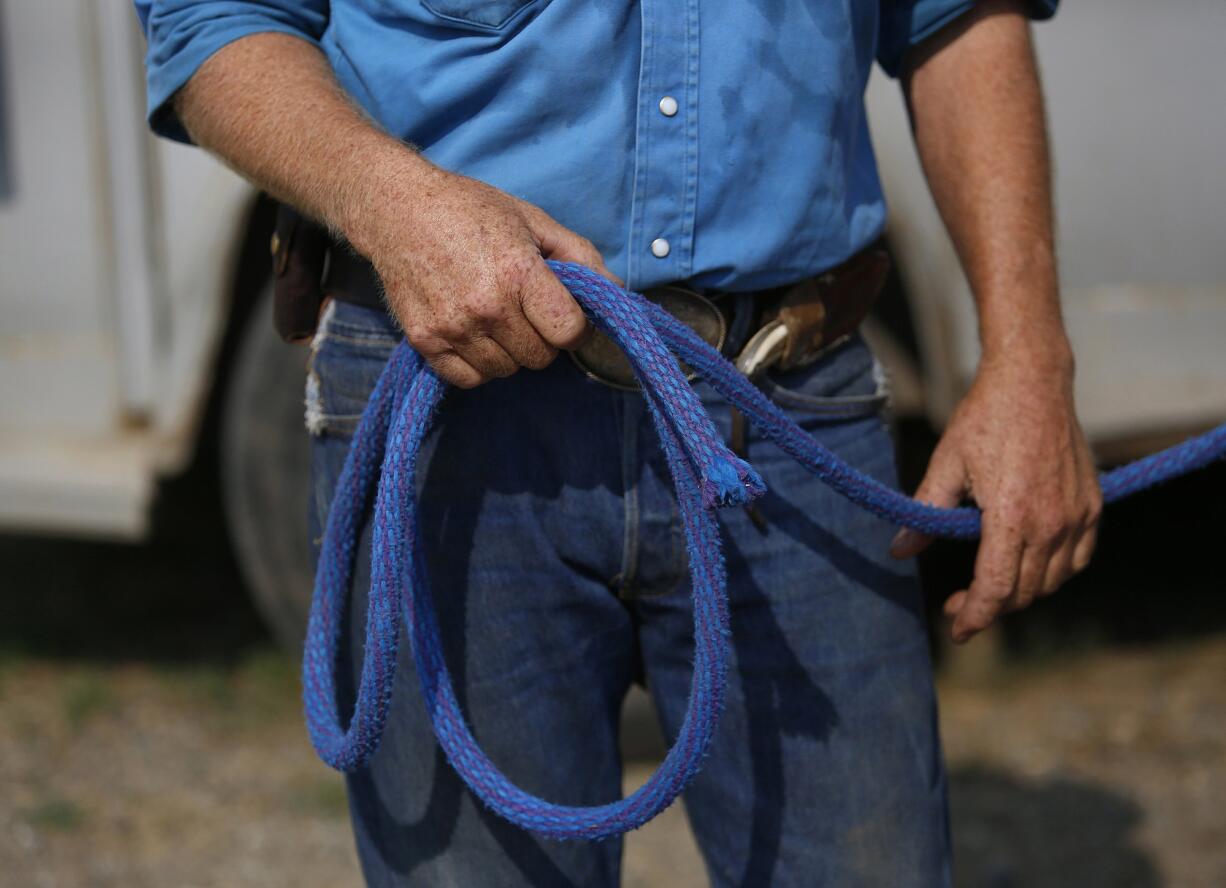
183	34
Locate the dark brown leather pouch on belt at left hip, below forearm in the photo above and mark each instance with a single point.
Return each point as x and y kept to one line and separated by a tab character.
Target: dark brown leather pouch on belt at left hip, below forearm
300	248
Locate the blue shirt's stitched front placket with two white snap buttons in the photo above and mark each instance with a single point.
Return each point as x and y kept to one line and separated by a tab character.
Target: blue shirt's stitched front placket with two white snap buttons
661	241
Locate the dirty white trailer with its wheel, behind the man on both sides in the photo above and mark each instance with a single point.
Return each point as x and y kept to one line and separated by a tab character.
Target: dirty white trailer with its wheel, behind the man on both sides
123	275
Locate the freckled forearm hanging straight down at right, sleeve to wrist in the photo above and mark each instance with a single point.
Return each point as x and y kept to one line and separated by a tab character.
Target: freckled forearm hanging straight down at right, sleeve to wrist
978	113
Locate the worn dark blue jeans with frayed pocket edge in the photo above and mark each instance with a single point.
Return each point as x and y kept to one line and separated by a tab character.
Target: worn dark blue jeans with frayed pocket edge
560	572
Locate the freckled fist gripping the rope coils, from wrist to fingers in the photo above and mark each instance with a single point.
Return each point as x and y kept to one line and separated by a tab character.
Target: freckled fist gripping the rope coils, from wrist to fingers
464	268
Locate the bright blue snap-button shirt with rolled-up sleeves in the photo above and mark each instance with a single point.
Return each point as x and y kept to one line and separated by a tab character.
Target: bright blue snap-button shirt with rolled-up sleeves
719	142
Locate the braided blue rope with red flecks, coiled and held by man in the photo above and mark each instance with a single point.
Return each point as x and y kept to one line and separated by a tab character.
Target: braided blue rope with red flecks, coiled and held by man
382	468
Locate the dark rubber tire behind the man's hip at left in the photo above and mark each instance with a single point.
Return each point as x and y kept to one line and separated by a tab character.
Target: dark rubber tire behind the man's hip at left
267	474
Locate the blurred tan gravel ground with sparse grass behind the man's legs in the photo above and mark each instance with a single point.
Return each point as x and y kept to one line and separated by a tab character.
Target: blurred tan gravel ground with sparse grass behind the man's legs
1106	770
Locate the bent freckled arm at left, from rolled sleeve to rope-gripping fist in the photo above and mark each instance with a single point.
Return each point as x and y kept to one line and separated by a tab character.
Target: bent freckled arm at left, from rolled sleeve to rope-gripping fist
463	263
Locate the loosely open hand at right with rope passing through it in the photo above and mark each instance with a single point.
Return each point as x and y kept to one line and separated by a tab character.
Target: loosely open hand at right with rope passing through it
1016	448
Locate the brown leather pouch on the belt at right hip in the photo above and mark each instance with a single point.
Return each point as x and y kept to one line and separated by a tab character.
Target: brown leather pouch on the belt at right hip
823	310
